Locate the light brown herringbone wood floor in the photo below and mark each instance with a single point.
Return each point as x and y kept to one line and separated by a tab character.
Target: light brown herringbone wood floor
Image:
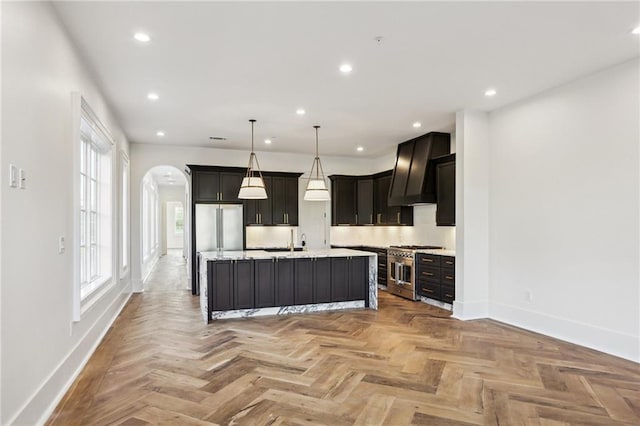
407	363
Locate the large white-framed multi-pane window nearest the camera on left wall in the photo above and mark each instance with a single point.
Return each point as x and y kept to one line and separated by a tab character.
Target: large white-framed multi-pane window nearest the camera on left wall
94	207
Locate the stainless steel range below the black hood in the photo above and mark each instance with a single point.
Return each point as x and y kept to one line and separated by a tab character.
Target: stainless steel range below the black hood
401	275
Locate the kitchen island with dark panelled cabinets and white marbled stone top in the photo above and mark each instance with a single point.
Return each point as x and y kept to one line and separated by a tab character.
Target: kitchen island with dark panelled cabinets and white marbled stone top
237	284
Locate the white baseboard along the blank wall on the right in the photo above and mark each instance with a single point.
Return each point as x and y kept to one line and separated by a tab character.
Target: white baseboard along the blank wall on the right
612	342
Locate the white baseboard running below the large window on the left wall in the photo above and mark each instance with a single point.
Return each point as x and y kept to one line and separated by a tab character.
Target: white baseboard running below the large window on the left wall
41	404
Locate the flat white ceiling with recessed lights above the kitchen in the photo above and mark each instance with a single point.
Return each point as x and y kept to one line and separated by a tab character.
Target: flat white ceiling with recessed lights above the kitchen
214	65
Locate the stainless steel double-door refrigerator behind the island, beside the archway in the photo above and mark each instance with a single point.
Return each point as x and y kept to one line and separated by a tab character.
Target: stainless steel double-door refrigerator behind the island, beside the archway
218	227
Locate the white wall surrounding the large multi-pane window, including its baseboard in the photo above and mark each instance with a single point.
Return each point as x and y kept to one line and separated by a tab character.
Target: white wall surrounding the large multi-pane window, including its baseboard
42	348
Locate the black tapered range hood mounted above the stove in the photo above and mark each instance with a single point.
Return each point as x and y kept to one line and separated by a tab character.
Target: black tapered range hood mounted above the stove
414	175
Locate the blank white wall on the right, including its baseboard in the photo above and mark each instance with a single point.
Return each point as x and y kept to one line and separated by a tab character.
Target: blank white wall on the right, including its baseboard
564	212
